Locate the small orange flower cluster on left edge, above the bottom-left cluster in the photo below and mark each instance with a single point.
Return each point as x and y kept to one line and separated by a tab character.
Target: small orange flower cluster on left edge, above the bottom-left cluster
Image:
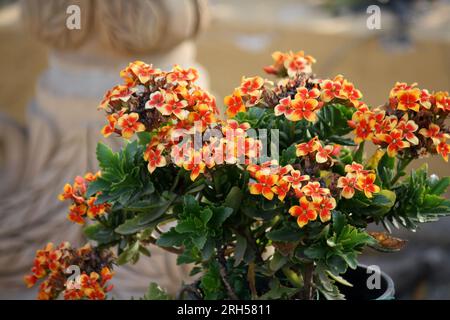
81	205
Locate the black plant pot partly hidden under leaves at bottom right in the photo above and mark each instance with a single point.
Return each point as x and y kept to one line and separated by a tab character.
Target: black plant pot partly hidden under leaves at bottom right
361	291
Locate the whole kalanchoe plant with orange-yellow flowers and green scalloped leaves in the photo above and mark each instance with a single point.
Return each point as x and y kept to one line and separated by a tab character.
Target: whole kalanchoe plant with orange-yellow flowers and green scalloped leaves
288	227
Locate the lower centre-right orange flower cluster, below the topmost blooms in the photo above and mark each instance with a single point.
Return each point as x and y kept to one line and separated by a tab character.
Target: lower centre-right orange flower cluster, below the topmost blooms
315	198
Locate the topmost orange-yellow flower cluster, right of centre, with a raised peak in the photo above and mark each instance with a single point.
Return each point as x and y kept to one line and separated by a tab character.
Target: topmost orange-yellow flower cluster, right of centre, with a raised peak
297	98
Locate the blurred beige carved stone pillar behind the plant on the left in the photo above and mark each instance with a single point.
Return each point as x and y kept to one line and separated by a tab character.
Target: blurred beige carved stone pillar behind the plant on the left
63	125
